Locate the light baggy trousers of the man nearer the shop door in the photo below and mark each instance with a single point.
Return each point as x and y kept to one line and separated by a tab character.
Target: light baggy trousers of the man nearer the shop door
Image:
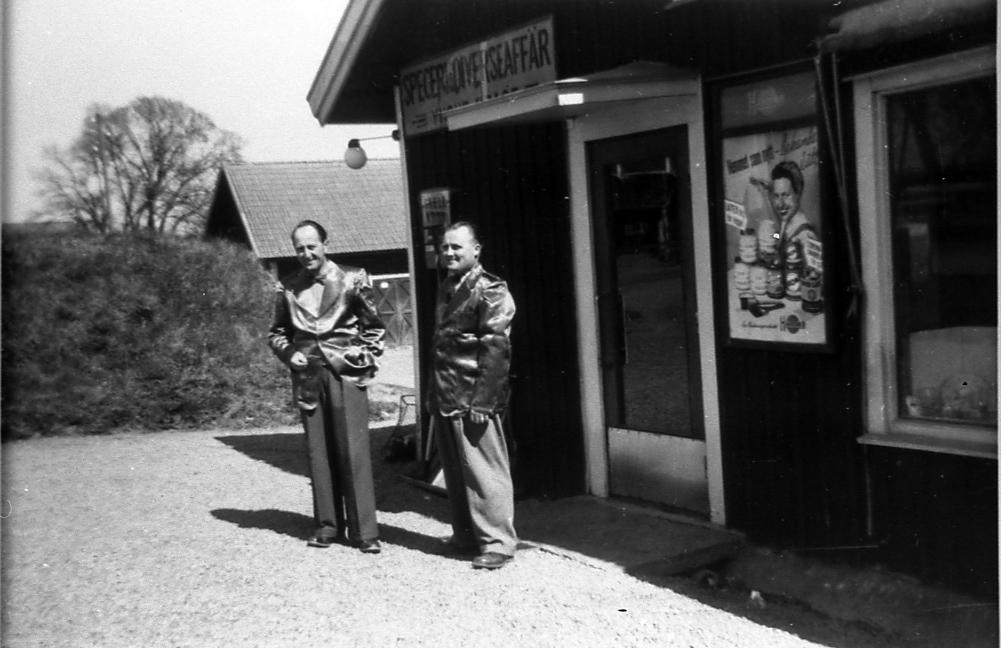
478	477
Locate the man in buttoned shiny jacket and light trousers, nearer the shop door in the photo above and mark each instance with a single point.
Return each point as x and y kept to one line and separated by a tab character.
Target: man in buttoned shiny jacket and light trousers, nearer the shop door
471	359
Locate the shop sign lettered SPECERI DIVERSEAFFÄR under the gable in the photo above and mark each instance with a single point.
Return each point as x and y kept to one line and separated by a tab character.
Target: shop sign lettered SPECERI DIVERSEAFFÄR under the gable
478	73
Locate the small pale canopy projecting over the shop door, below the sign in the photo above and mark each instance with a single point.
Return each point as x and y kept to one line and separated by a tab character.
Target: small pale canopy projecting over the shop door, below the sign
567	99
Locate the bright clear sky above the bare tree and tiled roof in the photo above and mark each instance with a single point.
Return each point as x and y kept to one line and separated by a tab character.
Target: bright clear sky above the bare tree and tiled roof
248	65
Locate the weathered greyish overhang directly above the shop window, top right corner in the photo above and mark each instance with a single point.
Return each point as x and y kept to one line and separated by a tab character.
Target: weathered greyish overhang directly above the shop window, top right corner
890	22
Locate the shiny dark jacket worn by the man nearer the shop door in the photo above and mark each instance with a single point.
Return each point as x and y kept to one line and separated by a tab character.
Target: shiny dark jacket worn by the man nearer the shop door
471	349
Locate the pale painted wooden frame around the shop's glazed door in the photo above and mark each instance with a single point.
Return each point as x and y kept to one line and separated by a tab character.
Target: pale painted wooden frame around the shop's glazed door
628	119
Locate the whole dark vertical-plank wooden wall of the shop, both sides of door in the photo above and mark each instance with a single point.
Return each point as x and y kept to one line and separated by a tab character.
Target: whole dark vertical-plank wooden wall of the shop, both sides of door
795	475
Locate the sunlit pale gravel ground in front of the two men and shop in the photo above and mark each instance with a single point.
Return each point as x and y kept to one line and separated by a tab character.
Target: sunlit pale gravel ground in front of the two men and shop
198	539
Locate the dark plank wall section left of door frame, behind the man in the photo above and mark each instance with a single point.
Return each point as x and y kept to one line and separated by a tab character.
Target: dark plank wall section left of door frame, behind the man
512	183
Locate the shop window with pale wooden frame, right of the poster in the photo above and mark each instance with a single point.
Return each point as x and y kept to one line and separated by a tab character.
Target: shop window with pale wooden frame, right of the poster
929	239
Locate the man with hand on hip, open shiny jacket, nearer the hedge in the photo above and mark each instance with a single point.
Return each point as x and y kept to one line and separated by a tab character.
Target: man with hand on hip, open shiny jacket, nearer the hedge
327	331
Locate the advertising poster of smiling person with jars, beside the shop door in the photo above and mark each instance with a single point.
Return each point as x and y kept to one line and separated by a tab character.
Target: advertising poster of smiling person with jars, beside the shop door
775	252
